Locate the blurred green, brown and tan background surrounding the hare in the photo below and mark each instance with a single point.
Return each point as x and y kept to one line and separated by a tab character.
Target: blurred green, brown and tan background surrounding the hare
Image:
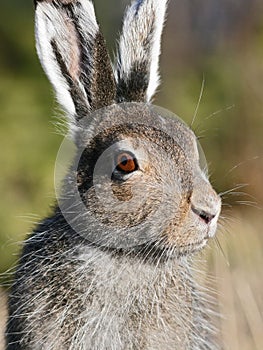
217	43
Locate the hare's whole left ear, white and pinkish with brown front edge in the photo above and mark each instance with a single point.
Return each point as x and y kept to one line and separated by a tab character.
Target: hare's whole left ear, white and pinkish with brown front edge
73	54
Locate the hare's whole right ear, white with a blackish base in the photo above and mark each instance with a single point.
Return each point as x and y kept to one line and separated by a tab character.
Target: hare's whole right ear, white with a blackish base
139	50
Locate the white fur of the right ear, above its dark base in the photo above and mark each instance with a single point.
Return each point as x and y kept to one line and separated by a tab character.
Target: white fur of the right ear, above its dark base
140	40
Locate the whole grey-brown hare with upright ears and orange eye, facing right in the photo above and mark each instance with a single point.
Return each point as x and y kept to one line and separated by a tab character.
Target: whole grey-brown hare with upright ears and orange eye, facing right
111	267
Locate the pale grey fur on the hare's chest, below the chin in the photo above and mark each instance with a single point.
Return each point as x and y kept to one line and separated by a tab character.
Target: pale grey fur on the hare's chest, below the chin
127	305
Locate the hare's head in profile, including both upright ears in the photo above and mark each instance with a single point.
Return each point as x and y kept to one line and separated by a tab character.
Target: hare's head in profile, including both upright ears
136	182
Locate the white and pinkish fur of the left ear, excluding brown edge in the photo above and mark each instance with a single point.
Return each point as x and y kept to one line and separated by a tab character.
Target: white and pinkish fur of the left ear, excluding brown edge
54	25
